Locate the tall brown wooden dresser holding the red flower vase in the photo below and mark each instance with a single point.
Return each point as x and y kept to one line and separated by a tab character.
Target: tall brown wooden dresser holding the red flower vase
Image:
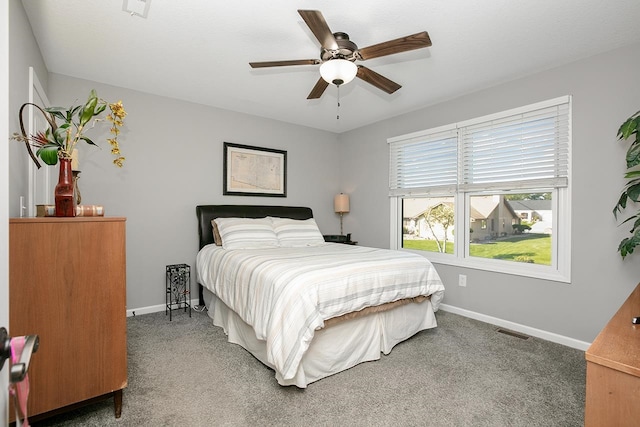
67	284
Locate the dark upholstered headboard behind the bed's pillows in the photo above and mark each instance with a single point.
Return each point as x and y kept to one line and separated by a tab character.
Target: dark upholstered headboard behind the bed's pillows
206	213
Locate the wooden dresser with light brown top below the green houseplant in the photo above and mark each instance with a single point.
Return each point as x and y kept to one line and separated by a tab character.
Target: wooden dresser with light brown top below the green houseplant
613	370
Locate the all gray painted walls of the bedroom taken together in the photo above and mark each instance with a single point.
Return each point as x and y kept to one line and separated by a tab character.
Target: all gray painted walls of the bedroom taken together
174	162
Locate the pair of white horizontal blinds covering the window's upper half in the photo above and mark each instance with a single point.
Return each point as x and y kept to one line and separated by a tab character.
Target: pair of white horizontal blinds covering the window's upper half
522	148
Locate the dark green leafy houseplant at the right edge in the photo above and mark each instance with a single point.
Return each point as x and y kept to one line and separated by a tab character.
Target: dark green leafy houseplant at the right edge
630	129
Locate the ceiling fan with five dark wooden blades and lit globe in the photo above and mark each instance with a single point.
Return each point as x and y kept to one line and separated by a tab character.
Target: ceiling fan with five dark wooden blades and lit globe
338	55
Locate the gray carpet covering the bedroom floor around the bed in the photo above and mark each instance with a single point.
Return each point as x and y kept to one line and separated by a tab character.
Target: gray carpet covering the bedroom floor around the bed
462	373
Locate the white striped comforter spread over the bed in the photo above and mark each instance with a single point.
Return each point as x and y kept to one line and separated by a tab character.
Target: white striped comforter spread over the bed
286	294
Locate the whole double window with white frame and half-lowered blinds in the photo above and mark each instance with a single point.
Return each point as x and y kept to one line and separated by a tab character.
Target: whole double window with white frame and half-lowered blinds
489	193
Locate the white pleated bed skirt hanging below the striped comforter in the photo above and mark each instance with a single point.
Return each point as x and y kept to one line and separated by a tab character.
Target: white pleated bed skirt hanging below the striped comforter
335	348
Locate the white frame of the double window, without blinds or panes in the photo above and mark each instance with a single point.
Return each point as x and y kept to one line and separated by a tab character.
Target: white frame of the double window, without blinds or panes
560	268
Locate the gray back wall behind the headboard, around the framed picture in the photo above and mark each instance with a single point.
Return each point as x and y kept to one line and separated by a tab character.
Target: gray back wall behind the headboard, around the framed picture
174	161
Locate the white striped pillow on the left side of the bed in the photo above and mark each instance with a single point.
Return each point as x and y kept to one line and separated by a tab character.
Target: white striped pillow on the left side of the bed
246	233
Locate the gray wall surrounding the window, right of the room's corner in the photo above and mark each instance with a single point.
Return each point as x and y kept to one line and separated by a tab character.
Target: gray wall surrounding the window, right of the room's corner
605	92
